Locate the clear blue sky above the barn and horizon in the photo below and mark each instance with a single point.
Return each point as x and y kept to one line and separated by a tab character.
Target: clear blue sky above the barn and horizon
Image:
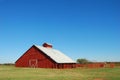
79	28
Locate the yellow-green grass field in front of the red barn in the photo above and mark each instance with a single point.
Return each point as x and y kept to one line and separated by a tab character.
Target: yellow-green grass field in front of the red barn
13	73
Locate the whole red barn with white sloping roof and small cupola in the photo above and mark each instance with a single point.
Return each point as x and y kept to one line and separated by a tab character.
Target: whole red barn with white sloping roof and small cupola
44	57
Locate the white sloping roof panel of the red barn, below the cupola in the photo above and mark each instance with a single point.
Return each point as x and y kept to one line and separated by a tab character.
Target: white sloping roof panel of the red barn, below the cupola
56	55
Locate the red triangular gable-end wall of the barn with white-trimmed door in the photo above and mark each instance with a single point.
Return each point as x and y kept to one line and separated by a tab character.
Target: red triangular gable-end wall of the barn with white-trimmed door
35	58
